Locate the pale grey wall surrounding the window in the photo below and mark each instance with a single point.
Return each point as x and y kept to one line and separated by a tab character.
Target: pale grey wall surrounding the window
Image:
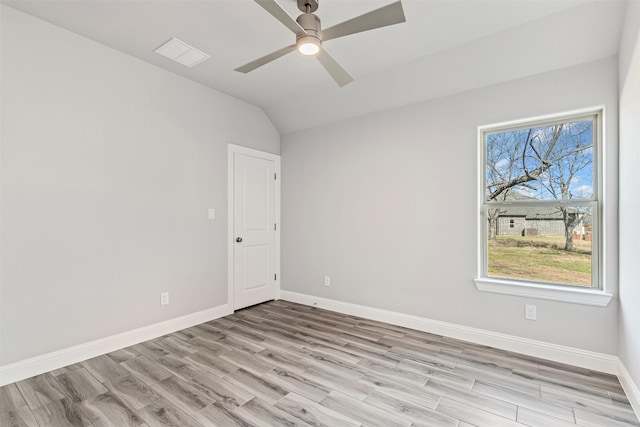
386	205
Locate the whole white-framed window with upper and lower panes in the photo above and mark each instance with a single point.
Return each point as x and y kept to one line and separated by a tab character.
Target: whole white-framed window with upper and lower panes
540	203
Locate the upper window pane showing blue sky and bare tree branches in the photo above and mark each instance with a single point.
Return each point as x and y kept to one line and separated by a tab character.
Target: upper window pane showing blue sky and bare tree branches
553	162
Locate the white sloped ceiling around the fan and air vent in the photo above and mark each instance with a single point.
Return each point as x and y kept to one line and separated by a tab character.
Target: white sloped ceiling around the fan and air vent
445	47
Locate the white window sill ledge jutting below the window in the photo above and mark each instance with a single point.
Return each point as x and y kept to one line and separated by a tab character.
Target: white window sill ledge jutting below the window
572	295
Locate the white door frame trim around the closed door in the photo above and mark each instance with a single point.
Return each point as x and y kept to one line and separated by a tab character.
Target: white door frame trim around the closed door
233	149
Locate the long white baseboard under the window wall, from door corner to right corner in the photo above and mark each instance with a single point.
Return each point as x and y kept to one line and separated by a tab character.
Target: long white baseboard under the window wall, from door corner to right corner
554	352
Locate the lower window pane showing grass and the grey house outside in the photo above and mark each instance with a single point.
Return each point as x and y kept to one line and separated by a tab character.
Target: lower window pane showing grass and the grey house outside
542	244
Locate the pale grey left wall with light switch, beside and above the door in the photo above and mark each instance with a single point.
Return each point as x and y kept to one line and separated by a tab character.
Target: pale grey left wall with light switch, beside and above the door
109	165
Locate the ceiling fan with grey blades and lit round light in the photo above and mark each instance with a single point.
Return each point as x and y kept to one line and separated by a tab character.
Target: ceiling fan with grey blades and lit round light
310	36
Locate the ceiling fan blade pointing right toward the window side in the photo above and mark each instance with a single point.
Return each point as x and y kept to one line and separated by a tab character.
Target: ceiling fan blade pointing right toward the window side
386	15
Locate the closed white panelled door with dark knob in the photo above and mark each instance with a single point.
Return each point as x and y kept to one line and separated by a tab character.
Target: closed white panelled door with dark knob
254	230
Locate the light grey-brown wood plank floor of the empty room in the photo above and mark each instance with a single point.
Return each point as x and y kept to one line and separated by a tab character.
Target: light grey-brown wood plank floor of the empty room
284	364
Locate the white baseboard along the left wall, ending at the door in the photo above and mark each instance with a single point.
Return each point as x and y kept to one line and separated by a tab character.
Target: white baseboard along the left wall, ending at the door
61	358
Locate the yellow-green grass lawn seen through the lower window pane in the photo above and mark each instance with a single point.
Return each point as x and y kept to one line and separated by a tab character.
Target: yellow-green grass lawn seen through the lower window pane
540	259
